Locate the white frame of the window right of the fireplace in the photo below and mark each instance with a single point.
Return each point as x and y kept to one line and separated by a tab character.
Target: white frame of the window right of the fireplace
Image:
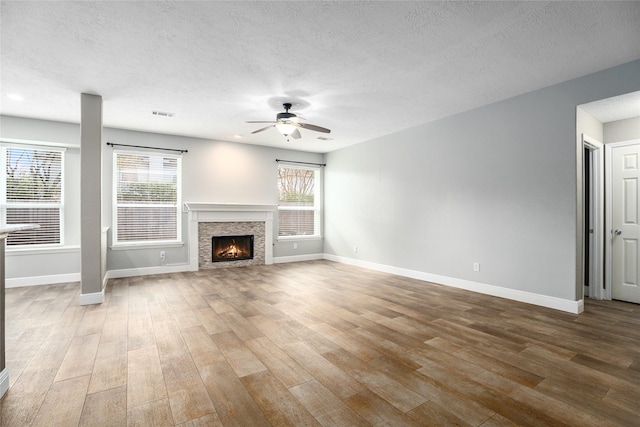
317	207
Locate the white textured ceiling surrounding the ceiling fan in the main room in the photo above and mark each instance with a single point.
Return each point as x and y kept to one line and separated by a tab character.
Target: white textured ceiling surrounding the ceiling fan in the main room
362	69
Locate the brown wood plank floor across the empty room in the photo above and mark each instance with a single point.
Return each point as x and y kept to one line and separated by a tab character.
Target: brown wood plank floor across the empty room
313	343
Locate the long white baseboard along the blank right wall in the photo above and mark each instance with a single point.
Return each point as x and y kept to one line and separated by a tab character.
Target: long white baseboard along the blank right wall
574	307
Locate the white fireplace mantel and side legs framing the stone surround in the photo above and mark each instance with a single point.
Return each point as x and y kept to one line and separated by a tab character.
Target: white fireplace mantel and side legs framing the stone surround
228	212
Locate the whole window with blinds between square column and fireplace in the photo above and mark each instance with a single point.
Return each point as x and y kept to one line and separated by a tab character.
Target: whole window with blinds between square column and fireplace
147	198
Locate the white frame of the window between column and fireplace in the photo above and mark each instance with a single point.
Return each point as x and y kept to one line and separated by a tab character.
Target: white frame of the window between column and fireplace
127	244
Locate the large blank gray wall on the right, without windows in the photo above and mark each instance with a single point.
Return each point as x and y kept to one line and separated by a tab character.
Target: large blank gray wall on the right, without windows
495	185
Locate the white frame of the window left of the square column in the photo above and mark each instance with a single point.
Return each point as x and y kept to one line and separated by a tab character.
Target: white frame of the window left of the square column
4	204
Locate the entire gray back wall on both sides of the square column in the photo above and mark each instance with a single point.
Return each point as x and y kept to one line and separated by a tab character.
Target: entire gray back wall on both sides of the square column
213	171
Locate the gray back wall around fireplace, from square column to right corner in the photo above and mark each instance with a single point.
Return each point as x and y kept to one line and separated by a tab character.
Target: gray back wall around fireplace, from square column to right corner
213	171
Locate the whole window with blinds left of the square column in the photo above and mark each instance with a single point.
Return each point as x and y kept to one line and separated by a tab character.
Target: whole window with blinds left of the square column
31	193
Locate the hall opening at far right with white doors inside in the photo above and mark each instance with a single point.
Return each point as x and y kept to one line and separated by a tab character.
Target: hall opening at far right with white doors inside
616	121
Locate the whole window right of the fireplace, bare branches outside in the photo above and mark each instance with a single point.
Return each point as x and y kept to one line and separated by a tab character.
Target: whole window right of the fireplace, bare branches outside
299	202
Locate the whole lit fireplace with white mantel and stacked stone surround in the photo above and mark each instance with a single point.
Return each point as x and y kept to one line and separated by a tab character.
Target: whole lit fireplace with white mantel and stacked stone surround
209	220
